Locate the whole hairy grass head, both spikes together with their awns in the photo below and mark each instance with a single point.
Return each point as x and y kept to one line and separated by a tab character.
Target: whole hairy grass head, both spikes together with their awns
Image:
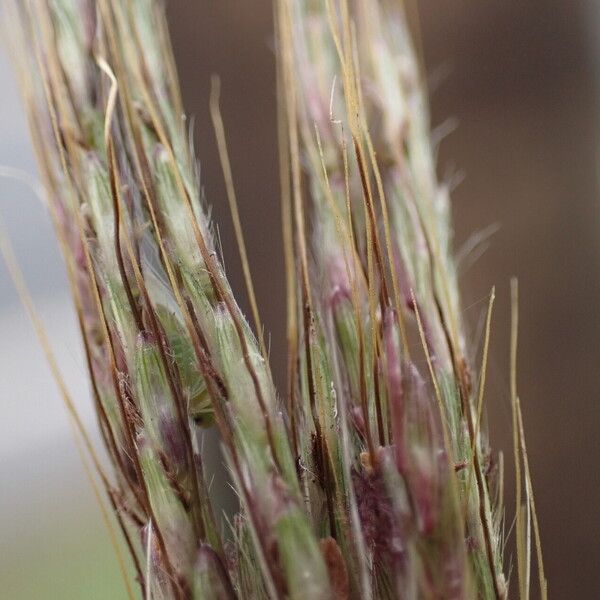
376	480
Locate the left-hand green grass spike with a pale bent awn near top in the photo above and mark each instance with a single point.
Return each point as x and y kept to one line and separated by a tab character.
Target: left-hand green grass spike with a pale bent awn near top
167	345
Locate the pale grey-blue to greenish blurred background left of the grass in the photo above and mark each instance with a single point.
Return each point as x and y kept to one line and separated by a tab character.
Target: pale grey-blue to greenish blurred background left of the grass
53	544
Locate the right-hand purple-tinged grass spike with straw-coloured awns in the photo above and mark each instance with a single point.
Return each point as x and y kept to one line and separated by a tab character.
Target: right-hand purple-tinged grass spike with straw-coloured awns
381	244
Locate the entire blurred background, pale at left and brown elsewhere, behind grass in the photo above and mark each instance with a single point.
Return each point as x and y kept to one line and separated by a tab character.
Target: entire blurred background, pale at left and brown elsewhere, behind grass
520	83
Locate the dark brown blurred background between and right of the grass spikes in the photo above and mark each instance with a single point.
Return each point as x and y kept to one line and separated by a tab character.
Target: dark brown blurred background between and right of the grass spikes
519	78
